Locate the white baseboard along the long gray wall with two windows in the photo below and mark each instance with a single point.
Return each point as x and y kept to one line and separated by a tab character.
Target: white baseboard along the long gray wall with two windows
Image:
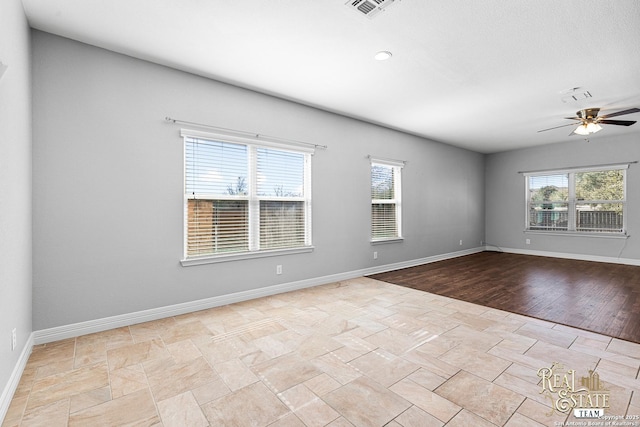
98	325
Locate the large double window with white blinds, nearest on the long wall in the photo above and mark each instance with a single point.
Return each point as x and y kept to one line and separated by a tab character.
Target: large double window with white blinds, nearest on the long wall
245	198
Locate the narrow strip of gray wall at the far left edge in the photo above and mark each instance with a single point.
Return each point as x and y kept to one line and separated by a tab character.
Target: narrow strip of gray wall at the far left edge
15	186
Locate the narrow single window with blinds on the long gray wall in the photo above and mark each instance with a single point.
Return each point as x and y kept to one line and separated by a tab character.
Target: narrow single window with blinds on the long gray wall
385	200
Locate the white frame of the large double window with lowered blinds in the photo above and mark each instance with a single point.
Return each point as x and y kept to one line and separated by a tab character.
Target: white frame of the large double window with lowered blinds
253	144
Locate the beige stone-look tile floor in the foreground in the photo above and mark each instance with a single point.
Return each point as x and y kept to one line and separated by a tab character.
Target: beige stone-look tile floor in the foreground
355	353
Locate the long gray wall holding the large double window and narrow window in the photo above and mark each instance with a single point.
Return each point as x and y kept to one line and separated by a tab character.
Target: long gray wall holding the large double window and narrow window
108	177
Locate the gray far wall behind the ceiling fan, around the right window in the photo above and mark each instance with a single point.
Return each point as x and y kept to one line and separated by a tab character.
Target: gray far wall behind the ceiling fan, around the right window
505	195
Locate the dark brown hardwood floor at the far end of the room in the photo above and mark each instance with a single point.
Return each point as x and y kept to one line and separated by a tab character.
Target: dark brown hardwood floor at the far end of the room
594	296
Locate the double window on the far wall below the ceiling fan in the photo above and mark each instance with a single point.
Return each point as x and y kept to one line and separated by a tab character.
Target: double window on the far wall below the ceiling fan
590	200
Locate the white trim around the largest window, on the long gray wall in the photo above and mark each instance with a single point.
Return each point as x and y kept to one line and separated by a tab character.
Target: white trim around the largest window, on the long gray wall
253	144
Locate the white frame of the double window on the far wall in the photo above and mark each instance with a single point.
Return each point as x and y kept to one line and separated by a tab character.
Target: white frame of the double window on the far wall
572	201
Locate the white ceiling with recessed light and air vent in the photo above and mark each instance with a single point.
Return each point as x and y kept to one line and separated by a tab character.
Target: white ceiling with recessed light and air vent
483	75
